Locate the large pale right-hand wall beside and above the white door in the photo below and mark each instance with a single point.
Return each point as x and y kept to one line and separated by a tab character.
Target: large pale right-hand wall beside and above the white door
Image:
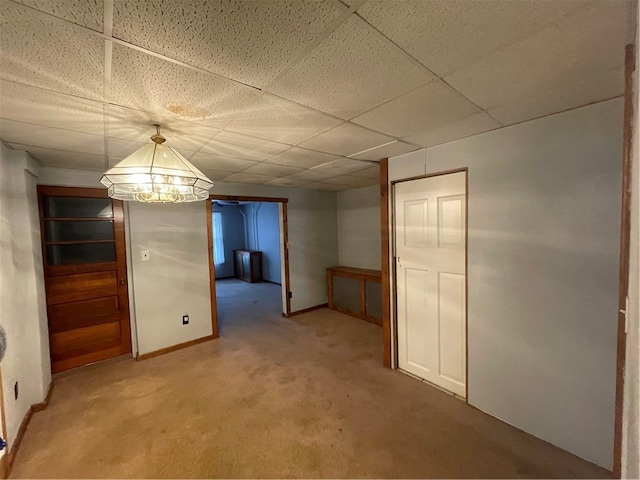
544	209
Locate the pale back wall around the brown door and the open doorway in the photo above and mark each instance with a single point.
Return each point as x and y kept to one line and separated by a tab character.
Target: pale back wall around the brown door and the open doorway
313	247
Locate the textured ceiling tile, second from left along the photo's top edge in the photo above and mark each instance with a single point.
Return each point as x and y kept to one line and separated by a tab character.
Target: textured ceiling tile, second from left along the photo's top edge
249	41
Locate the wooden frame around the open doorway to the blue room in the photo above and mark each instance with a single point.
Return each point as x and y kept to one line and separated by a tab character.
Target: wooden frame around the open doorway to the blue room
212	272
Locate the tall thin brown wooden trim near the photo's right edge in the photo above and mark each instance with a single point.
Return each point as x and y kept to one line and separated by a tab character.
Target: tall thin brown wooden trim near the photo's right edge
625	238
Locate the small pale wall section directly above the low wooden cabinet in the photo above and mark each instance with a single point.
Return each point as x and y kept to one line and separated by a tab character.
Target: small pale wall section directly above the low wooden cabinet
359	227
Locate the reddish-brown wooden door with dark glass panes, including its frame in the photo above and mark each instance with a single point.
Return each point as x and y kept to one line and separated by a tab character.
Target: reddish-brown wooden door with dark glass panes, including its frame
85	275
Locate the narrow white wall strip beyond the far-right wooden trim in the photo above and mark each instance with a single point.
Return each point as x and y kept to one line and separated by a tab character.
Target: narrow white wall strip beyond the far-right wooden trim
631	401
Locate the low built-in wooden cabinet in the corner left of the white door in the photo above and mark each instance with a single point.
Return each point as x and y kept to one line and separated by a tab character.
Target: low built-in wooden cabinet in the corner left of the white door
356	292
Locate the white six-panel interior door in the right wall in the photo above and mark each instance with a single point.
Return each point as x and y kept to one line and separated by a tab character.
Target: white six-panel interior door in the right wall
430	229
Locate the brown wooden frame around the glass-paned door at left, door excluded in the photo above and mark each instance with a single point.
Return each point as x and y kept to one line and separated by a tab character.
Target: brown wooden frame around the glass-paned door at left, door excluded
121	254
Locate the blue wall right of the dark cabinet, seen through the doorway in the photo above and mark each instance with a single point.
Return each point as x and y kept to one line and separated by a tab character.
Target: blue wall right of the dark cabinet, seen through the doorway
263	227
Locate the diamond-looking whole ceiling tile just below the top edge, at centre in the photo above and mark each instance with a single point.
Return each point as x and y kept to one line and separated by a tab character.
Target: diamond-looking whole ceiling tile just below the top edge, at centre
351	71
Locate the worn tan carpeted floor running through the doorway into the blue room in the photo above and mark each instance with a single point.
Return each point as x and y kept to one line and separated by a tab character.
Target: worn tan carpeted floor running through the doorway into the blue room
305	397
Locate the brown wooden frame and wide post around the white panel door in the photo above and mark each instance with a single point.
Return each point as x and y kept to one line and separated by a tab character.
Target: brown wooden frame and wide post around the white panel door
387	210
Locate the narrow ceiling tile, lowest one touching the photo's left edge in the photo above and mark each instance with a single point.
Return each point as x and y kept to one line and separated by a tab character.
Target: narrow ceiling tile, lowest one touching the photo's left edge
48	137
